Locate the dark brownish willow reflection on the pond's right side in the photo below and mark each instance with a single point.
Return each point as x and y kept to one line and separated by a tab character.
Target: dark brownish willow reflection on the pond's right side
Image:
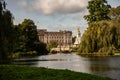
105	66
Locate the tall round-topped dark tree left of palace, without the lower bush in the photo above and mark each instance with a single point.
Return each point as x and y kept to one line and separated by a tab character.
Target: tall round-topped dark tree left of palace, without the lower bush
29	34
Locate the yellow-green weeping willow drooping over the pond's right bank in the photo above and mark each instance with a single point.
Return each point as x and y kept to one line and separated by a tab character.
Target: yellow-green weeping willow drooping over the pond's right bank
100	37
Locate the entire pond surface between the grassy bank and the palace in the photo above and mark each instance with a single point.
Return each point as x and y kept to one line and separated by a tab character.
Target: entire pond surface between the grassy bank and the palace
102	66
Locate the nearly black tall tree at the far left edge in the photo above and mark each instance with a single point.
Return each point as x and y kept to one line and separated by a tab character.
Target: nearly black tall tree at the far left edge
6	33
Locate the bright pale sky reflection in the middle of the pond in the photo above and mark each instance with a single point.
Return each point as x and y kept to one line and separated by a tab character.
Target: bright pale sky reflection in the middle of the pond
64	61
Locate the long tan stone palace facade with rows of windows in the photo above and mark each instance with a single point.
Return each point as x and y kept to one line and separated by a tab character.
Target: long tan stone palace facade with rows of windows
63	38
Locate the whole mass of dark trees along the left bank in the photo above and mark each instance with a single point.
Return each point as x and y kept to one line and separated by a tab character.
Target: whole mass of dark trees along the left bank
17	40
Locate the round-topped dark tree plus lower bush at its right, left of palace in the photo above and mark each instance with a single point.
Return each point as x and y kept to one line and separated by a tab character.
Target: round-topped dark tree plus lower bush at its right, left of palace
27	39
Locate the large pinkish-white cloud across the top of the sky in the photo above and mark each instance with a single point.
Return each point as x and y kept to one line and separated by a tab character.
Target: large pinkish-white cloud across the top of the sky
49	7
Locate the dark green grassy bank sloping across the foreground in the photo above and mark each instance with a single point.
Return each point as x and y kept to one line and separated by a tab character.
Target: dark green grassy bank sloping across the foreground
15	72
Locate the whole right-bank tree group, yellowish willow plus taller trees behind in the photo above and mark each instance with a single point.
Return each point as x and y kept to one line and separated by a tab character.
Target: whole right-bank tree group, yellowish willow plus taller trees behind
103	32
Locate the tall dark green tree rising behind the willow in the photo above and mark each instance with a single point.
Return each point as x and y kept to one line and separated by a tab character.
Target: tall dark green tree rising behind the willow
98	10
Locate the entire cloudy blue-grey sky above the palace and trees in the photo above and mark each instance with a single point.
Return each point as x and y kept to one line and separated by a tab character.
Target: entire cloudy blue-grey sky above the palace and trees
53	15
